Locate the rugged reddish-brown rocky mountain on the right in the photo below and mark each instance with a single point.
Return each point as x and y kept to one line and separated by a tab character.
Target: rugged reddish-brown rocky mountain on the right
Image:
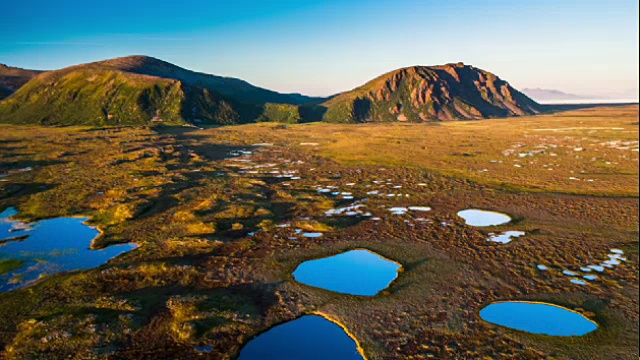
430	93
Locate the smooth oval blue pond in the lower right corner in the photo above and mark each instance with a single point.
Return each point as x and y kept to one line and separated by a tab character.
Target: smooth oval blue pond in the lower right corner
538	318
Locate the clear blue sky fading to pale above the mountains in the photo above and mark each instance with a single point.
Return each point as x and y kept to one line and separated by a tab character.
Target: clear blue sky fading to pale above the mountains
323	47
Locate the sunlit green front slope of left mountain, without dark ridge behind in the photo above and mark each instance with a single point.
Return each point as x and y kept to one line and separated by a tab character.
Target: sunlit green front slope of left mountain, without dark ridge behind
110	97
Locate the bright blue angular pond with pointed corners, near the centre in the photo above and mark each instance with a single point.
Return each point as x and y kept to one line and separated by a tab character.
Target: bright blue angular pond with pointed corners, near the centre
355	272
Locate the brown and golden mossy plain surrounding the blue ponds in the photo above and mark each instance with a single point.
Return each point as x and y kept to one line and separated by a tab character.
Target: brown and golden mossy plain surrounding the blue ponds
200	278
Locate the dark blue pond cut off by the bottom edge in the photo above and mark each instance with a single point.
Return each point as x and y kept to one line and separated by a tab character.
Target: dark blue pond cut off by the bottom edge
310	337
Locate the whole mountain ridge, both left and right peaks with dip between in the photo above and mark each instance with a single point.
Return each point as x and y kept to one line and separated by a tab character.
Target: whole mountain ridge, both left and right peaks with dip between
142	89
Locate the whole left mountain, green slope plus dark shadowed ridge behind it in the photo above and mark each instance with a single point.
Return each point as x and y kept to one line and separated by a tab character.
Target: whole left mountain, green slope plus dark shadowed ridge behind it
138	90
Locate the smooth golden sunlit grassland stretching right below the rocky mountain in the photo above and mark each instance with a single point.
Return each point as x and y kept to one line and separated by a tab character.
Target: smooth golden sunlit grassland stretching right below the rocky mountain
591	151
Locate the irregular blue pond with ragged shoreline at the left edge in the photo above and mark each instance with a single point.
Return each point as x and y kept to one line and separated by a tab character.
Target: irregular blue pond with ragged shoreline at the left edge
29	251
